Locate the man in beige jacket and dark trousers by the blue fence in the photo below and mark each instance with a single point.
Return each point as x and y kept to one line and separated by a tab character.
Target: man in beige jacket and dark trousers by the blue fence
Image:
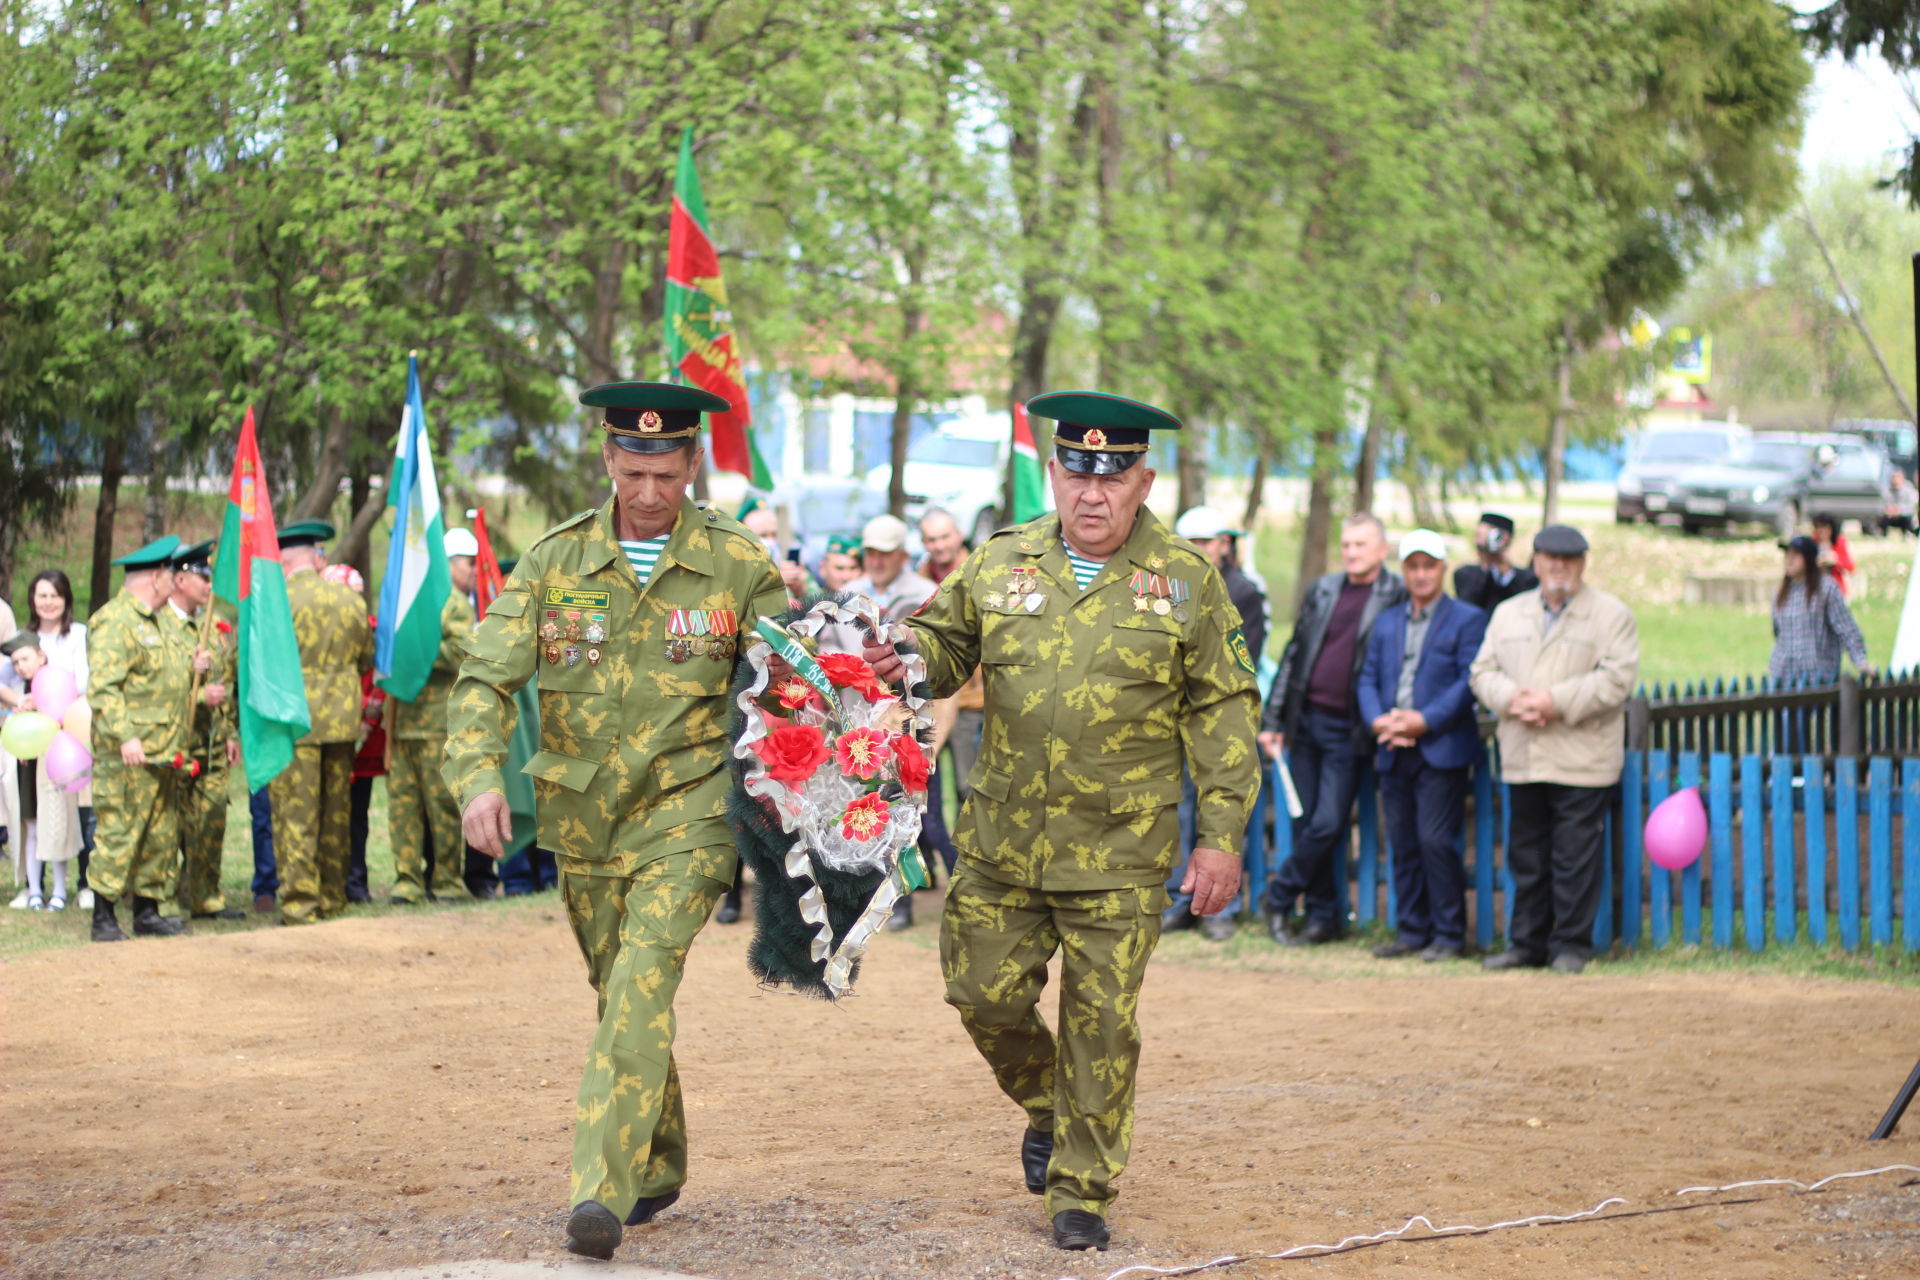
1556	669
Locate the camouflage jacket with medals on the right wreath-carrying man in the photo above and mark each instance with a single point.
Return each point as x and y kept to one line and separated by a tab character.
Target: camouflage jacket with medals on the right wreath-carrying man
1093	701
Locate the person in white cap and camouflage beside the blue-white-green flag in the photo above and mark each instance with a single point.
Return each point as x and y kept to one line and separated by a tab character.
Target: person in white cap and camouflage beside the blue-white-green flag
418	801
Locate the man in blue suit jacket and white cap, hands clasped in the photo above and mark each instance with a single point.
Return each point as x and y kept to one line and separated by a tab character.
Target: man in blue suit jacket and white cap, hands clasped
1414	696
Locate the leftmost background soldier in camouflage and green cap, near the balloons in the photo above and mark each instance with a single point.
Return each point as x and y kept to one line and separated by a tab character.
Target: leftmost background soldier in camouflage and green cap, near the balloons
137	688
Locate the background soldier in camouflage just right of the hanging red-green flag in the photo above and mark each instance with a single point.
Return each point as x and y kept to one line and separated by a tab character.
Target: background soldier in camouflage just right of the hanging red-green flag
312	799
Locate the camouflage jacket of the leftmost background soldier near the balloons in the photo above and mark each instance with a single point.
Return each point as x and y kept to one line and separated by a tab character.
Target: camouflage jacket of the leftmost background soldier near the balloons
137	680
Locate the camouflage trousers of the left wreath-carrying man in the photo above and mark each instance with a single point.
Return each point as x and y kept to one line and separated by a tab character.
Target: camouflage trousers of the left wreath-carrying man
631	1127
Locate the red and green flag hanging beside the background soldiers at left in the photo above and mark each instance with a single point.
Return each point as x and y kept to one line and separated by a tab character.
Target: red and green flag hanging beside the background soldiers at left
247	571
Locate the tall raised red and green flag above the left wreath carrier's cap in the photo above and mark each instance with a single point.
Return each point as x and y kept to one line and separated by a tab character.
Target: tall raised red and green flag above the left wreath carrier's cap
700	331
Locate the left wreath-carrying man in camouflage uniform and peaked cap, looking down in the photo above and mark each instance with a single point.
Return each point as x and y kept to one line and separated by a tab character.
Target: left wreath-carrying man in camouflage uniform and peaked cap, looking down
635	617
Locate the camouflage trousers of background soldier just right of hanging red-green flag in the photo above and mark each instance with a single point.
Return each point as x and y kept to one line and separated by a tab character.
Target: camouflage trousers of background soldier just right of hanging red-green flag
312	832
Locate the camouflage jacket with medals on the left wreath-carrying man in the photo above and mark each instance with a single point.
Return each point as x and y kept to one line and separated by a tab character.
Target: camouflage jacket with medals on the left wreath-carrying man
635	749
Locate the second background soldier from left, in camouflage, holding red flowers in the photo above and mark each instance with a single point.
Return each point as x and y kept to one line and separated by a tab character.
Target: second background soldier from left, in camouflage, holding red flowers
214	738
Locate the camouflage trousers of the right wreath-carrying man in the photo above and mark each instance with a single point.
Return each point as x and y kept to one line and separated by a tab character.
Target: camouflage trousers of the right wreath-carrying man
996	943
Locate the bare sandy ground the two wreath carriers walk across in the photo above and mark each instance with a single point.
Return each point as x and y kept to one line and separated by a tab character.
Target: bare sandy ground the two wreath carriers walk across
398	1093
